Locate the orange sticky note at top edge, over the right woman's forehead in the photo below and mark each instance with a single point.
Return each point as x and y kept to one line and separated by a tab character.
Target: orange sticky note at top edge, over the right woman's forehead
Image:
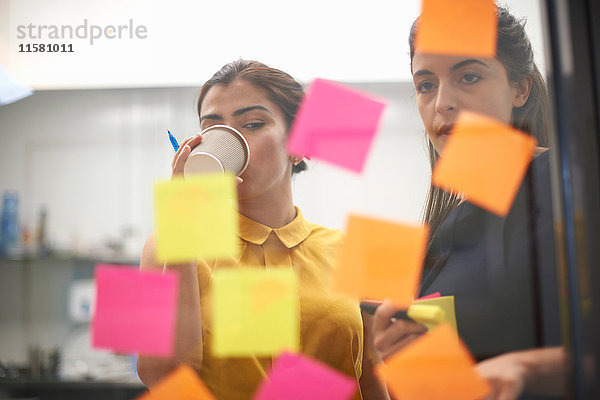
457	27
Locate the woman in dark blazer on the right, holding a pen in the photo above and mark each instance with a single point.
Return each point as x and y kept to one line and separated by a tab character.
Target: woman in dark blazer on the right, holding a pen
501	271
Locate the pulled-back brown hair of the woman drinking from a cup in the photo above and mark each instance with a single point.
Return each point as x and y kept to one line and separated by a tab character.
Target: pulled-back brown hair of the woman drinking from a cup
282	89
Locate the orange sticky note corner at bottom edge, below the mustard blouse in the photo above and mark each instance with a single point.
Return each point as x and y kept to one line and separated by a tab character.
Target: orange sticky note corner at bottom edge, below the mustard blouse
182	384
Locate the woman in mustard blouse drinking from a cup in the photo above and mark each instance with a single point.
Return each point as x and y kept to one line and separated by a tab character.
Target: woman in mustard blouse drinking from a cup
261	102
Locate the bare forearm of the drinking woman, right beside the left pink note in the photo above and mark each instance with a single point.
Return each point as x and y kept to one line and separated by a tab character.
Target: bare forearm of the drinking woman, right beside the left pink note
188	331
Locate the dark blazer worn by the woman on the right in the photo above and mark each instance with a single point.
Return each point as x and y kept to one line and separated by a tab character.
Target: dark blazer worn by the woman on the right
502	271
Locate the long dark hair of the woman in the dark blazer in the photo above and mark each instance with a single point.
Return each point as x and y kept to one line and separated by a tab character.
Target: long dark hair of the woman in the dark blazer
514	51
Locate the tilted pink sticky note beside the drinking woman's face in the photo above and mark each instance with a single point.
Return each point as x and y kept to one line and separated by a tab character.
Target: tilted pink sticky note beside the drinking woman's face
337	124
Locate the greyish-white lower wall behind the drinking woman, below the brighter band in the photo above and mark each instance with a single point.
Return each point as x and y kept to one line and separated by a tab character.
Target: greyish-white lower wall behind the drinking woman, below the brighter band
91	157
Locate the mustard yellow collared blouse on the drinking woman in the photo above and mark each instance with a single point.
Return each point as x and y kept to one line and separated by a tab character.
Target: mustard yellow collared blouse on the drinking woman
331	328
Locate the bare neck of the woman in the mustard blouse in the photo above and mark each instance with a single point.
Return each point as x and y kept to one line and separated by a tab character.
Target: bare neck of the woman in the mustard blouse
271	209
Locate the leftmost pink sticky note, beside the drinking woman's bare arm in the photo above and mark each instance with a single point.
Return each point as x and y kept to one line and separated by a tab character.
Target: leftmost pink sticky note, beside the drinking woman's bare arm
135	310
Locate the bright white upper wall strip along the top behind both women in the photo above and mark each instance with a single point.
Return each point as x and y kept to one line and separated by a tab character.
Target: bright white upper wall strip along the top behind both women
186	41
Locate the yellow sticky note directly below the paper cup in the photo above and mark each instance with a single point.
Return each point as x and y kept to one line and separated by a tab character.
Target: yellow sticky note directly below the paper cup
195	218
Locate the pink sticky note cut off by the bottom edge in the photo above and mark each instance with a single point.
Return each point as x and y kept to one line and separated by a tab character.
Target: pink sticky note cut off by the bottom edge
297	377
